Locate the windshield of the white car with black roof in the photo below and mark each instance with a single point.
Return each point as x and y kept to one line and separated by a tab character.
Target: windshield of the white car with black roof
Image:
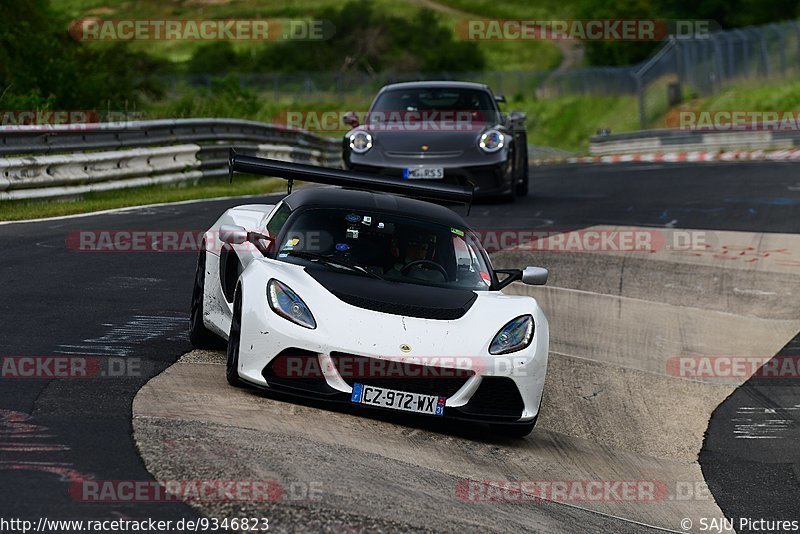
386	246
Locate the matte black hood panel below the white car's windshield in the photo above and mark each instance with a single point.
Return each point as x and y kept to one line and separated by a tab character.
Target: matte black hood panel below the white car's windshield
397	298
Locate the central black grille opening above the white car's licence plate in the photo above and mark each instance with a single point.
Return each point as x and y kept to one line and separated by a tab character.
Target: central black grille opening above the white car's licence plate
413	378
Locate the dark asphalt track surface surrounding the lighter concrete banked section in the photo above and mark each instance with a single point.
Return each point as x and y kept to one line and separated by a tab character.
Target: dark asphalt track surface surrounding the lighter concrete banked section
133	306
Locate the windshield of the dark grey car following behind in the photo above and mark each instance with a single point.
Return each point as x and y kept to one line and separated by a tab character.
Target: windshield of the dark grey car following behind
422	101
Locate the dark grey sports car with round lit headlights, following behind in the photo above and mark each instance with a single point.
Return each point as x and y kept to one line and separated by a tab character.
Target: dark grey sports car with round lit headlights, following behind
448	132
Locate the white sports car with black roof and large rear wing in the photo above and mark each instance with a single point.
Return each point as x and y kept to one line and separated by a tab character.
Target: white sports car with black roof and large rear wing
369	298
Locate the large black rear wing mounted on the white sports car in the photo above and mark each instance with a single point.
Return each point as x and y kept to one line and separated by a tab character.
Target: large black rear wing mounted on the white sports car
347	179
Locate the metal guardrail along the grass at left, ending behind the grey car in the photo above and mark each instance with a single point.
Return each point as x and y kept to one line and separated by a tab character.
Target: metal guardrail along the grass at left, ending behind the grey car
67	160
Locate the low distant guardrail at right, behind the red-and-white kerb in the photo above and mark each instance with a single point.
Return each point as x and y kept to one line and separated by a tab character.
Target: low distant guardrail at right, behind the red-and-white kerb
667	140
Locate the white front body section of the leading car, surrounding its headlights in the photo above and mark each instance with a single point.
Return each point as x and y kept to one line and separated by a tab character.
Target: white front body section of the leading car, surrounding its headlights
505	389
